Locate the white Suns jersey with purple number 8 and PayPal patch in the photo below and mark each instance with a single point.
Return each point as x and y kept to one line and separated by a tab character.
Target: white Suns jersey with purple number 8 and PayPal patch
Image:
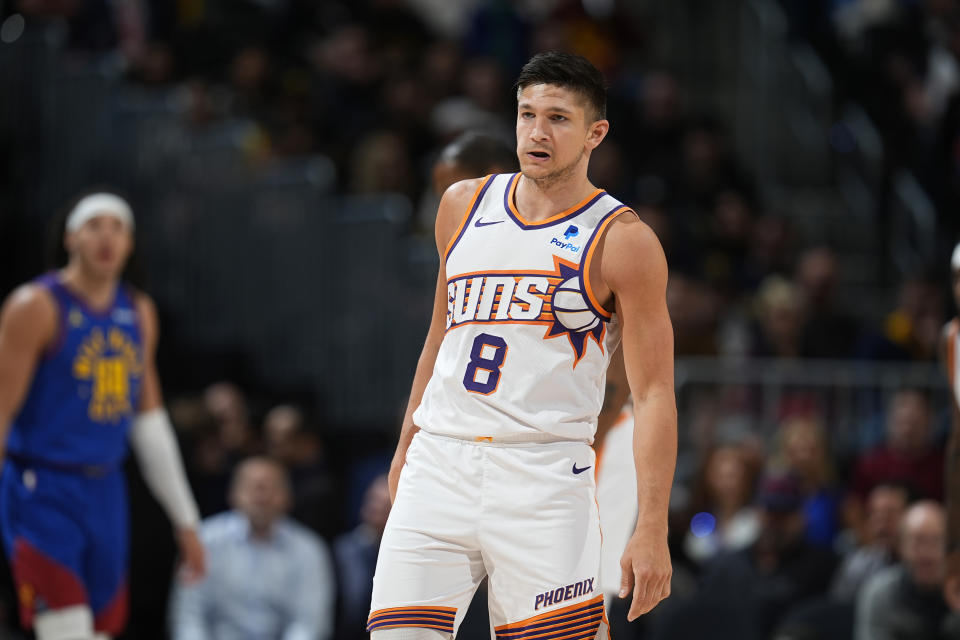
527	344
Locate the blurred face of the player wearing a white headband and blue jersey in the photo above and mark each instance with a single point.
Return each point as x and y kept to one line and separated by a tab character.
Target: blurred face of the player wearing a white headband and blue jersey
101	246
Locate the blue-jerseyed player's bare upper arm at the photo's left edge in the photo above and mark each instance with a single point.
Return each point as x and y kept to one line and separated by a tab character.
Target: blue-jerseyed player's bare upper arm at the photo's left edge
28	325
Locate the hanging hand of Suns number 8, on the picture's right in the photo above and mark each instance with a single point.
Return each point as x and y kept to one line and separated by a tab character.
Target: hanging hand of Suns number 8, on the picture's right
645	571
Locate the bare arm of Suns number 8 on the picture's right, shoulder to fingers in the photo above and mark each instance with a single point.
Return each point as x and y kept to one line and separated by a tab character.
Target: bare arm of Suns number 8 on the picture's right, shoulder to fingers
633	271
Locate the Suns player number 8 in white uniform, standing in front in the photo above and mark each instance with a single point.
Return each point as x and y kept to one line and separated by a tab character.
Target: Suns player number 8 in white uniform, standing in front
541	274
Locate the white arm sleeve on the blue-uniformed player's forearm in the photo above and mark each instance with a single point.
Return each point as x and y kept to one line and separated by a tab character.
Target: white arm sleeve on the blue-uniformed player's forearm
155	445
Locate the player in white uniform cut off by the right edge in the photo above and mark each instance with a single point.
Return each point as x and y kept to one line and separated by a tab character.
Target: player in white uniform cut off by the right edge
950	357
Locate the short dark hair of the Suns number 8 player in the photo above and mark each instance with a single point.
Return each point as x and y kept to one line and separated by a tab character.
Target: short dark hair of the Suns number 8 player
569	71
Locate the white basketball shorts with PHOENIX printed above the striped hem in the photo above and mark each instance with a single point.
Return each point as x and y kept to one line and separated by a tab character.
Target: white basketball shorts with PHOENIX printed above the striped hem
523	514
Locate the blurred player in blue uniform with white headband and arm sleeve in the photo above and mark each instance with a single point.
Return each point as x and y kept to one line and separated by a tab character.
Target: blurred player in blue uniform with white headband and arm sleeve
77	383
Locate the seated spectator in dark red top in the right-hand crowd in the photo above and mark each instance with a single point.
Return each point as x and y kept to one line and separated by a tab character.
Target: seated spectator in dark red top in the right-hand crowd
908	455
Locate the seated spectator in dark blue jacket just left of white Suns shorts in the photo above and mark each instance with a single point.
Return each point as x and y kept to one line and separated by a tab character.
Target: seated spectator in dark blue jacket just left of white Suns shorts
355	557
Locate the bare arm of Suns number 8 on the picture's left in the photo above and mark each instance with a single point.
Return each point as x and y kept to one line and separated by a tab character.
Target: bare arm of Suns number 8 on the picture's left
450	214
